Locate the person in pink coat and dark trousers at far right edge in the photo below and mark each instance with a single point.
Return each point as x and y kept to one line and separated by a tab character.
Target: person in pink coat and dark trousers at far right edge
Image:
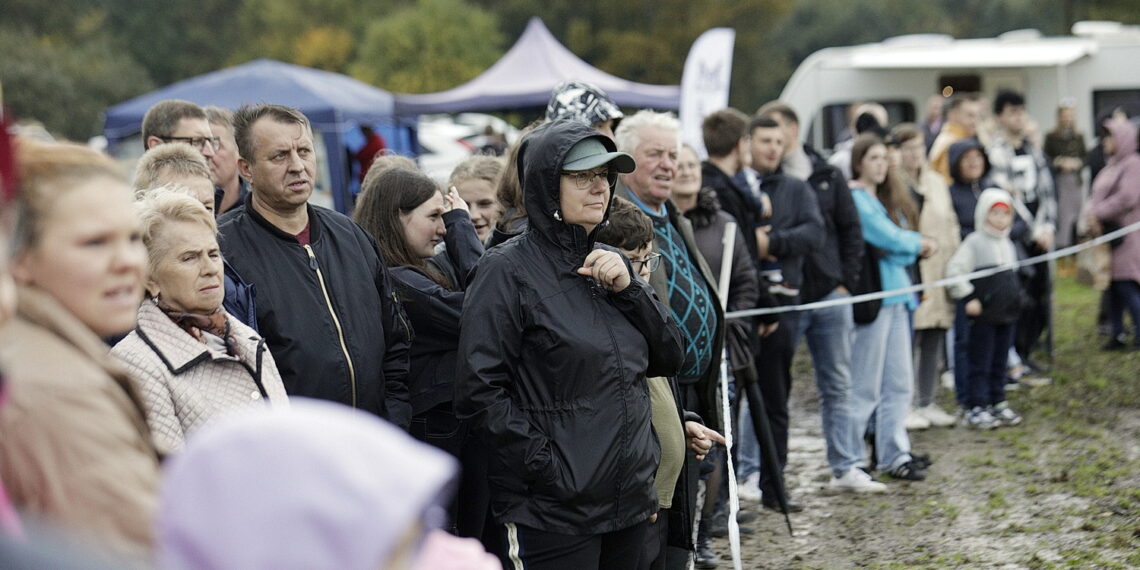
1115	203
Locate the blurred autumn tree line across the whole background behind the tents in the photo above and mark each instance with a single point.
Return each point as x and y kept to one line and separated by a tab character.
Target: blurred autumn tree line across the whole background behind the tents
63	62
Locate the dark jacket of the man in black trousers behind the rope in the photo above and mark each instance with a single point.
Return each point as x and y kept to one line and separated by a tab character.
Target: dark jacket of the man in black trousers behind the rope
797	229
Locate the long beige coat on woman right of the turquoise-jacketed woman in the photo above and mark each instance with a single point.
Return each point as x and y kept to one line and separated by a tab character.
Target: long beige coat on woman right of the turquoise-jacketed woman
939	223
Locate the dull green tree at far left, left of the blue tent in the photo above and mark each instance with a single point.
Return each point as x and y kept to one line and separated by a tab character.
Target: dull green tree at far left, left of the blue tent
67	87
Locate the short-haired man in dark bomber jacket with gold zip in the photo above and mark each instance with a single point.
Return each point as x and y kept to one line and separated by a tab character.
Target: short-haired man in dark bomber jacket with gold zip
325	302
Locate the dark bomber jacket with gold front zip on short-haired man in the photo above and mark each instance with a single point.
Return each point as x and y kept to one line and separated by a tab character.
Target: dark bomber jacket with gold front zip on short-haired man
329	311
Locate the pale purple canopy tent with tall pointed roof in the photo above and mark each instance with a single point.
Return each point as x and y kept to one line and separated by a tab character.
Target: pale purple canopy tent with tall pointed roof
525	77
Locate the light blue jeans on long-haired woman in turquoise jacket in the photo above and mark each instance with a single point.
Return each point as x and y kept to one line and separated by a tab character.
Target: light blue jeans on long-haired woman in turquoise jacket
882	385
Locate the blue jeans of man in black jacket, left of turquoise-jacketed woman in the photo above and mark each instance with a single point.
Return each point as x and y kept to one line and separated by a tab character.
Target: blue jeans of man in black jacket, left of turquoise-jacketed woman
829	333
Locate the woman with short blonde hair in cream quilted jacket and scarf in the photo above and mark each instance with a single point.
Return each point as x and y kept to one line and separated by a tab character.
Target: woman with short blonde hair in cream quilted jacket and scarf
190	359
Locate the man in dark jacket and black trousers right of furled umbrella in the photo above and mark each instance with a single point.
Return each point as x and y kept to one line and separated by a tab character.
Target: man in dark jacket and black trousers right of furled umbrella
796	231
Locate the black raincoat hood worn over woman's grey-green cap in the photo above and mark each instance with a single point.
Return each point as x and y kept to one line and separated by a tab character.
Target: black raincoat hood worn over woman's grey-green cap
540	166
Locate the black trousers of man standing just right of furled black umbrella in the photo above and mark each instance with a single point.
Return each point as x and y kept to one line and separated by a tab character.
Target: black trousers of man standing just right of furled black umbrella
773	371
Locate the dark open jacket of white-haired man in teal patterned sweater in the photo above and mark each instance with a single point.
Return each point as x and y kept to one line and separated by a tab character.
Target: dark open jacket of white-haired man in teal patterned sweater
707	386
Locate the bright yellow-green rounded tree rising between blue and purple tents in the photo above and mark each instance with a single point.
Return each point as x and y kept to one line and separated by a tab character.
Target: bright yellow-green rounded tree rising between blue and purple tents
430	46
